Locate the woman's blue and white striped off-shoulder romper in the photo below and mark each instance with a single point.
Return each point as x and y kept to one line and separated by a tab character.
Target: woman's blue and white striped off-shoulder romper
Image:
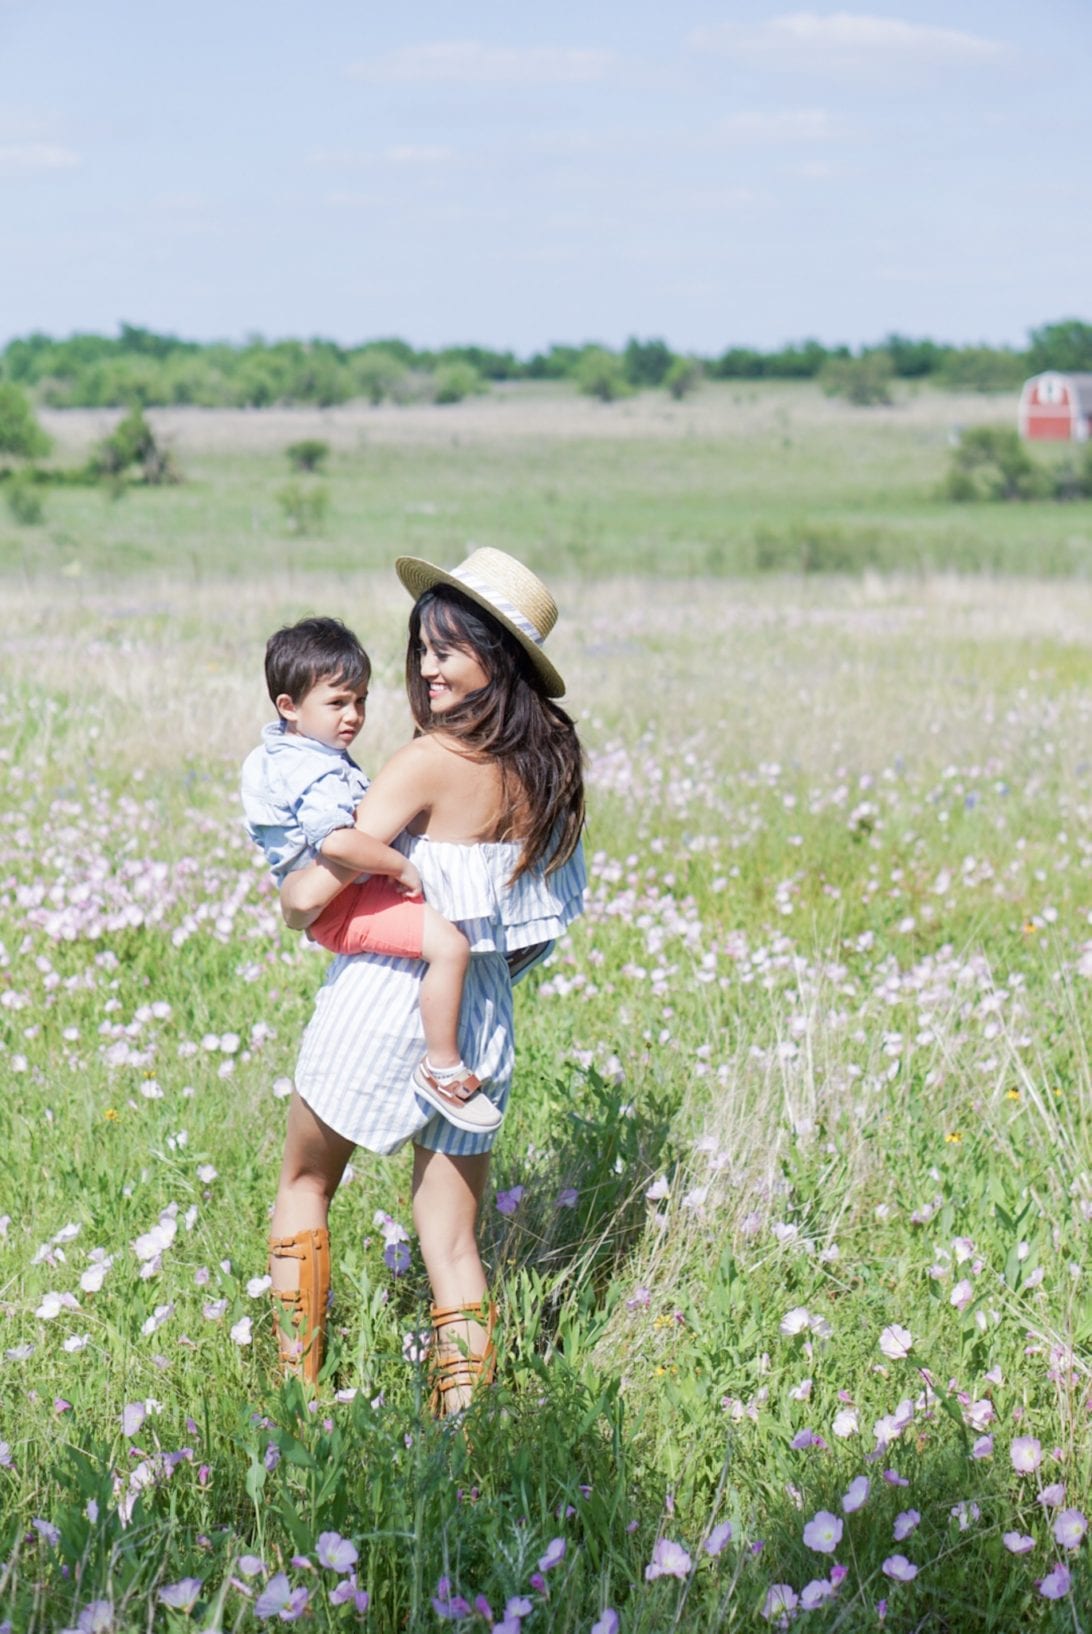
365	1038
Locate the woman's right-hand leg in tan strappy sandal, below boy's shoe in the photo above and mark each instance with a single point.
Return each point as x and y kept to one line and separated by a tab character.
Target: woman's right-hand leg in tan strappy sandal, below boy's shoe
447	1197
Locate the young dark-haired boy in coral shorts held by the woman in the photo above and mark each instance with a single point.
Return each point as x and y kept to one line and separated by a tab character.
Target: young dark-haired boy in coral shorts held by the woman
300	795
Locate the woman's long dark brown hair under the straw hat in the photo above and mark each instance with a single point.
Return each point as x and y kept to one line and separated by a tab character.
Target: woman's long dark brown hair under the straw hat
509	721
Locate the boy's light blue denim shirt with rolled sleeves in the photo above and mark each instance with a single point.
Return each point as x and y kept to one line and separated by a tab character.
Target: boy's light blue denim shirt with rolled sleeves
295	793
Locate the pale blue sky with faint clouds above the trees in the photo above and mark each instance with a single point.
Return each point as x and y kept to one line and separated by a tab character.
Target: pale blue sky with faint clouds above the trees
514	176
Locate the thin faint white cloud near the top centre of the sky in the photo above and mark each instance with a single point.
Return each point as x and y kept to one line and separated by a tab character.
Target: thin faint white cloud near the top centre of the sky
472	63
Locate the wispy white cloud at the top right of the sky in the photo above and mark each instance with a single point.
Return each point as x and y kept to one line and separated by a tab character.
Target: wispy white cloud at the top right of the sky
848	40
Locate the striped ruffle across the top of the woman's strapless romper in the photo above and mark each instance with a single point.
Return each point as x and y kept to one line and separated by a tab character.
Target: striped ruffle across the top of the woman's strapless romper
470	886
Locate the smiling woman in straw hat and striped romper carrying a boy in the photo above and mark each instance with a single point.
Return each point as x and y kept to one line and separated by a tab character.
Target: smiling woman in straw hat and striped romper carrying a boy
488	801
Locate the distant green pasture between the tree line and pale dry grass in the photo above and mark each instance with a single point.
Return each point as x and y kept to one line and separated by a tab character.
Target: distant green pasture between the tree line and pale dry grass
740	480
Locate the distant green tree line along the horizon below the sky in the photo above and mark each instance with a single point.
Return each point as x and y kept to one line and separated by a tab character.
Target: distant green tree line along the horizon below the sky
141	368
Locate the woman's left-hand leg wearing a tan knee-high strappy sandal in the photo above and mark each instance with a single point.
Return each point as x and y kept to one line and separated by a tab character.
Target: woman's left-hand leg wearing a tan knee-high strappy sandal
300	1246
